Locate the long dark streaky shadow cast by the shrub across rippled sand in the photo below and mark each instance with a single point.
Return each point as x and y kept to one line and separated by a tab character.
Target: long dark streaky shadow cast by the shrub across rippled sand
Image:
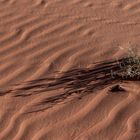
77	81
